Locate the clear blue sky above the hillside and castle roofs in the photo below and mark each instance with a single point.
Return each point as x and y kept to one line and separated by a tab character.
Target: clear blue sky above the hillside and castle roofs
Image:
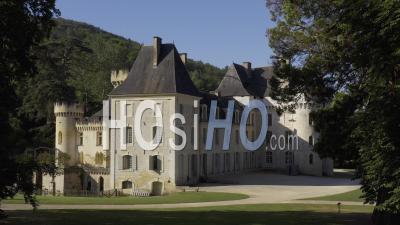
215	31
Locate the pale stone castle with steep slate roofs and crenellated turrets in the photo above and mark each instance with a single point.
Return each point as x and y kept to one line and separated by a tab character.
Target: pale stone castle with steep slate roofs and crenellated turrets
97	162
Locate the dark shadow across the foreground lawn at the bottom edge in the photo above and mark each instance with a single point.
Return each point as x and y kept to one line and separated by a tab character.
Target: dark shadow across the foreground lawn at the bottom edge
218	217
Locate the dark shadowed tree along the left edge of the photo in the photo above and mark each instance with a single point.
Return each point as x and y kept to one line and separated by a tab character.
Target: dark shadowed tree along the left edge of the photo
23	25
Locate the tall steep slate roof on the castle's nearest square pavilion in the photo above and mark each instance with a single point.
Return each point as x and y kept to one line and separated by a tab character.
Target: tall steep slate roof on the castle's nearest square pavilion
169	77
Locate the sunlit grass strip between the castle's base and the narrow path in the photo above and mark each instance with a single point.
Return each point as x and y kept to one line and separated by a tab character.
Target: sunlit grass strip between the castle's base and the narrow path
180	197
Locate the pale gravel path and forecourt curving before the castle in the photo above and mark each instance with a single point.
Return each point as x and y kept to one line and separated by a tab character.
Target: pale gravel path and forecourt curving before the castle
261	187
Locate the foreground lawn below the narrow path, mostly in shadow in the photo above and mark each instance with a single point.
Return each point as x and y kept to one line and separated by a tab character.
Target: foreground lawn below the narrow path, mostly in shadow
268	214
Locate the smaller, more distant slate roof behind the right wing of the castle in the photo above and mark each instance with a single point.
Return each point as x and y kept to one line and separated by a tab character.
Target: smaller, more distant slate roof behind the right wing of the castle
239	81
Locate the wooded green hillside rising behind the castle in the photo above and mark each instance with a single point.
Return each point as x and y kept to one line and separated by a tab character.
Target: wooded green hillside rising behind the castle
74	65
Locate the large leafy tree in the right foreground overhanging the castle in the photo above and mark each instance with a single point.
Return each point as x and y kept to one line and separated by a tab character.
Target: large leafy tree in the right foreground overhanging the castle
345	55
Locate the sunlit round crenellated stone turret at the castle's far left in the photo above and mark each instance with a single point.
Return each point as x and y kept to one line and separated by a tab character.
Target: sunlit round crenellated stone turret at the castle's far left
66	133
